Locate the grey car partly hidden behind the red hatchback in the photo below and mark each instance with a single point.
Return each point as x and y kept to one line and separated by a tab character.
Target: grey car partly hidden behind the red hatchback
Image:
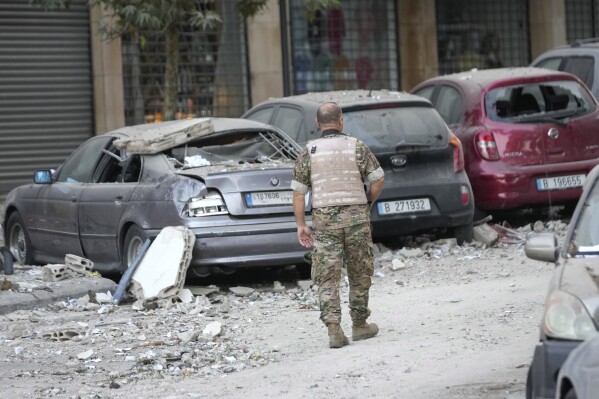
581	58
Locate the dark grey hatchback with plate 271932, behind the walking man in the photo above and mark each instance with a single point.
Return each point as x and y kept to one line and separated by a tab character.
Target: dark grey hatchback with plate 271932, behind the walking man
426	187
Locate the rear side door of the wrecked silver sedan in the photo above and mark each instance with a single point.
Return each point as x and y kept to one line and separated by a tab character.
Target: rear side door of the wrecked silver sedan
103	202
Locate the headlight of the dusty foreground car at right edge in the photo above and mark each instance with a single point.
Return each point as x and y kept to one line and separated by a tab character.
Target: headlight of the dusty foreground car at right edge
567	318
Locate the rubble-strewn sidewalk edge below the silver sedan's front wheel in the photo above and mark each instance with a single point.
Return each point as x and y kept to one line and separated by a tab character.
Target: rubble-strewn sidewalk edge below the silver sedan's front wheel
25	289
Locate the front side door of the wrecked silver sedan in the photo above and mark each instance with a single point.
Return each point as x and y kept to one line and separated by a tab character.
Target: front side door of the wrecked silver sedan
56	212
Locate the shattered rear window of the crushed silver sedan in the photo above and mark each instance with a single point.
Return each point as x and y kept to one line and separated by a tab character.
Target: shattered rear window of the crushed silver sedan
233	149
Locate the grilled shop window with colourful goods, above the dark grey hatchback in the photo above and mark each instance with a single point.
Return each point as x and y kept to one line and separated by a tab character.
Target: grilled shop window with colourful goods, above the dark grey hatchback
352	47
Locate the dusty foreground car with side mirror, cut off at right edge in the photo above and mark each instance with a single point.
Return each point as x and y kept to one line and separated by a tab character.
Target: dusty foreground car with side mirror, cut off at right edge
571	313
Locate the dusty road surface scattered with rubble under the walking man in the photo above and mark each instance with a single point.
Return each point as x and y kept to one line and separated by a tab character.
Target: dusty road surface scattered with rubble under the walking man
455	322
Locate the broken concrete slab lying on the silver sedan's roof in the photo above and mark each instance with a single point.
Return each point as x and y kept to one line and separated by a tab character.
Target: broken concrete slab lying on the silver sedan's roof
165	136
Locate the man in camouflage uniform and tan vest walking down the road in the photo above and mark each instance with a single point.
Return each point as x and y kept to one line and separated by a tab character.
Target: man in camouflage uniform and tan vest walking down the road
335	168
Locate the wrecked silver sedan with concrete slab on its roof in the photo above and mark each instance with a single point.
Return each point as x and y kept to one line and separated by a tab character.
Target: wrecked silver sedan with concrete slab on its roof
225	179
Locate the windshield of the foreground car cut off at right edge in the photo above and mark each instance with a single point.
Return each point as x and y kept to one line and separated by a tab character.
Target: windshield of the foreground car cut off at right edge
585	240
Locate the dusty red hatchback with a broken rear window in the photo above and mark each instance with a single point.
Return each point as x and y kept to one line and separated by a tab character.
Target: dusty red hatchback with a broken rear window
530	135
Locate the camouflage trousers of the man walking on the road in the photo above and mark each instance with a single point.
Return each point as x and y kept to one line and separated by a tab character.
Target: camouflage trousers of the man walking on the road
332	248
